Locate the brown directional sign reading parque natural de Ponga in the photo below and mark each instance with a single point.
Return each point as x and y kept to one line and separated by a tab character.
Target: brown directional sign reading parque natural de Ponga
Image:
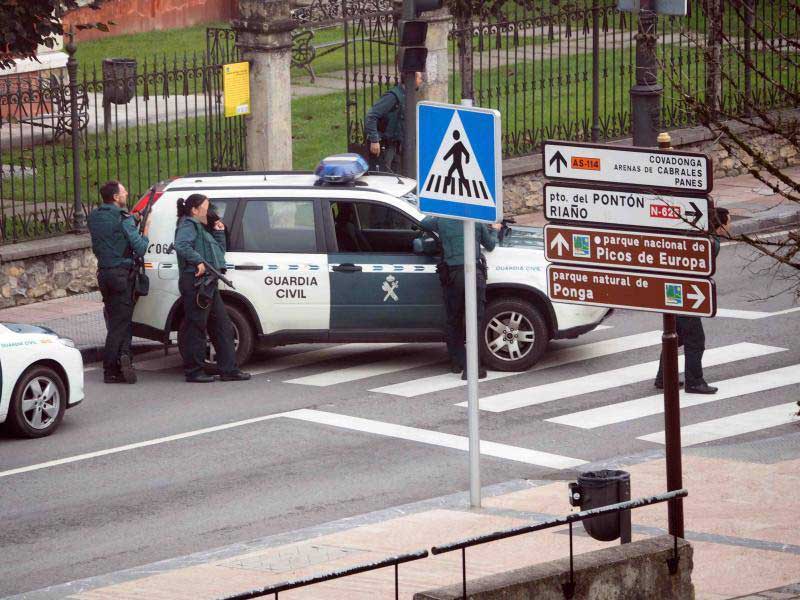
627	289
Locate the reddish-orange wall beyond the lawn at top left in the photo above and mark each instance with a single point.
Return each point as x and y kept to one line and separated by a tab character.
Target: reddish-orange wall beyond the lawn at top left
136	16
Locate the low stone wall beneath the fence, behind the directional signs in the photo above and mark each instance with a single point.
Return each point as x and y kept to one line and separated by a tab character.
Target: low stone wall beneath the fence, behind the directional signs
523	177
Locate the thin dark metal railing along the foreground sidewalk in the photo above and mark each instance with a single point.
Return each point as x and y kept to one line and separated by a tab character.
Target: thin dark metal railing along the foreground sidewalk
462	545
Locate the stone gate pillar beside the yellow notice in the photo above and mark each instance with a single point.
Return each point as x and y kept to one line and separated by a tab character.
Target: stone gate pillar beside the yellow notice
264	36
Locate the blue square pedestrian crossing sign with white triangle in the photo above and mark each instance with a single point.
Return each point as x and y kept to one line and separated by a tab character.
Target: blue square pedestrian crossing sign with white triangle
459	162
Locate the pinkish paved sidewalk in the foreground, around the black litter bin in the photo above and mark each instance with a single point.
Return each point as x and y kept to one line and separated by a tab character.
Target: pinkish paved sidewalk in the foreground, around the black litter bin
740	518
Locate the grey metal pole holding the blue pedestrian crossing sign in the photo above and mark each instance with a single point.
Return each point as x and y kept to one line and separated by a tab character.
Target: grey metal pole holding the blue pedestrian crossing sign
471	322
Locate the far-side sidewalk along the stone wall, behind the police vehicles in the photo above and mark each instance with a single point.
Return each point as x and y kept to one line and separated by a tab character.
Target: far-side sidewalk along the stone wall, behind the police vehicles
753	208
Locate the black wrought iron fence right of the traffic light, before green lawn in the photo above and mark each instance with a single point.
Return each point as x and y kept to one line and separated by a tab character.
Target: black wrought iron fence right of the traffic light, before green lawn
566	71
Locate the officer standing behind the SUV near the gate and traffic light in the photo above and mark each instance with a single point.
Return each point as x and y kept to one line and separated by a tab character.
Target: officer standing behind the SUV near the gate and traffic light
385	128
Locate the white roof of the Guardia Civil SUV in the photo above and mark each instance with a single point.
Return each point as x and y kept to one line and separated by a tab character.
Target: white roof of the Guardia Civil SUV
386	183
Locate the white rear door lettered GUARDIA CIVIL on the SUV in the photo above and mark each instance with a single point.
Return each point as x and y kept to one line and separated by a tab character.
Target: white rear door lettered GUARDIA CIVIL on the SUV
279	265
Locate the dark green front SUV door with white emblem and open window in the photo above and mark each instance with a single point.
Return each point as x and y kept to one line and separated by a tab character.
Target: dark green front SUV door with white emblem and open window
377	282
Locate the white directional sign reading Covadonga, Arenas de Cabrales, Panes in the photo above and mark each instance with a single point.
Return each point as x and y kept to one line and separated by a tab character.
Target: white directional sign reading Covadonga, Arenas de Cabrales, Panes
642	167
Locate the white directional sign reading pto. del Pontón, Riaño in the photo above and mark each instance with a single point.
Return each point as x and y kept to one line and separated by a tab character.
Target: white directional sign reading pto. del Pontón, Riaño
580	204
